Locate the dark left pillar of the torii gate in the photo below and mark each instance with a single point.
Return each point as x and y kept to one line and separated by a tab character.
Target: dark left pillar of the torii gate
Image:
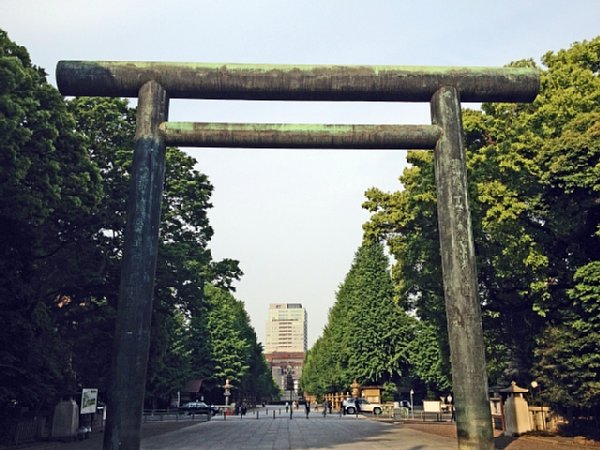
132	336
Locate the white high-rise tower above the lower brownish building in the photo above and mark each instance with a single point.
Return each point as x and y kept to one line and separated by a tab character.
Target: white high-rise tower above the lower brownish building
286	328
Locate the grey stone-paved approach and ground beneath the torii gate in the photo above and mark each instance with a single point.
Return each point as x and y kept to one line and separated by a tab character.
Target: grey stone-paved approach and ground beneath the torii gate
332	432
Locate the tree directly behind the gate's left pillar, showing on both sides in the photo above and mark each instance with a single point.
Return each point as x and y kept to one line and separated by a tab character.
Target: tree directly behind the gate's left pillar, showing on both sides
184	262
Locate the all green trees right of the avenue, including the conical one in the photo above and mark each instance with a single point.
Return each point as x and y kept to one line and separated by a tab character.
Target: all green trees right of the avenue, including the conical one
533	172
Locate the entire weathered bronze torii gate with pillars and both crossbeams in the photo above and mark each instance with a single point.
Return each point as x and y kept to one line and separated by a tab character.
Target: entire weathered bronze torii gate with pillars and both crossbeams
154	83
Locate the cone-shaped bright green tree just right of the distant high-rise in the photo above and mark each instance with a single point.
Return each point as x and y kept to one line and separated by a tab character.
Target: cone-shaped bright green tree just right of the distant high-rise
367	337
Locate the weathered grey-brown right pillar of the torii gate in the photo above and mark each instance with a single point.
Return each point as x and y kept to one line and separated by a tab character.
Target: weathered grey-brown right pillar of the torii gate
463	311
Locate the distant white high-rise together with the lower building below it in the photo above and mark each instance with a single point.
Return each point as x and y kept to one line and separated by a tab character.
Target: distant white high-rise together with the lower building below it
286	344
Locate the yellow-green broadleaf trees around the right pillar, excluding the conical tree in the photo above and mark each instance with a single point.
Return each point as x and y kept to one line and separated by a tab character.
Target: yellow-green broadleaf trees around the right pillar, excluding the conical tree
533	174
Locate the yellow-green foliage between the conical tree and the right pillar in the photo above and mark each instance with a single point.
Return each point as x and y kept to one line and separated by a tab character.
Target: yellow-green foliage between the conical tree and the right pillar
407	222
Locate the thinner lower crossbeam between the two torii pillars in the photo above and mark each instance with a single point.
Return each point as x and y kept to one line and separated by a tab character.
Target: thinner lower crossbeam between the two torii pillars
300	135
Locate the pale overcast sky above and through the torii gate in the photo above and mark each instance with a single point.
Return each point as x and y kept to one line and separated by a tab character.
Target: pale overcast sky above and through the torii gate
293	218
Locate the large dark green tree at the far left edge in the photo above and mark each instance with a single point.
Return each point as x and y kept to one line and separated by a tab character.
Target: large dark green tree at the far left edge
49	189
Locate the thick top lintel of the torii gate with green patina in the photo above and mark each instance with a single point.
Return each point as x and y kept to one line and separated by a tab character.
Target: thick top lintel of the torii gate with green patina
297	82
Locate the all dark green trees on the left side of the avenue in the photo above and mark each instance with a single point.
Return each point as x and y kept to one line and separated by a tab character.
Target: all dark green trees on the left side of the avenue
65	176
